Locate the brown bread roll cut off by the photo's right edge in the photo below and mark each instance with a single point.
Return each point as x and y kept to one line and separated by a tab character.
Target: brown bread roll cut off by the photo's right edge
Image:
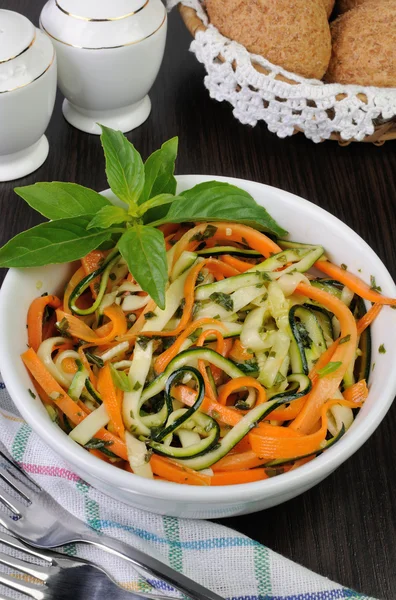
364	45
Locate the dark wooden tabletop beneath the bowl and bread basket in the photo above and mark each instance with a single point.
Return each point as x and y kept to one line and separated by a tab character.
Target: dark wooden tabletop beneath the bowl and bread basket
345	528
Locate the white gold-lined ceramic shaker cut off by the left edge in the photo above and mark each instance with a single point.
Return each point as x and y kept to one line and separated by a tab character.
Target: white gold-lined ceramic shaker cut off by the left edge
27	95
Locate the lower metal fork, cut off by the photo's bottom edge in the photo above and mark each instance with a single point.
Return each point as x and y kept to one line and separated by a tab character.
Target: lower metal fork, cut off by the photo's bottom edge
59	576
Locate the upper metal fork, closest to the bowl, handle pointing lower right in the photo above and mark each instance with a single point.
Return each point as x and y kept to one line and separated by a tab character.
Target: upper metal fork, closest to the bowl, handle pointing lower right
45	524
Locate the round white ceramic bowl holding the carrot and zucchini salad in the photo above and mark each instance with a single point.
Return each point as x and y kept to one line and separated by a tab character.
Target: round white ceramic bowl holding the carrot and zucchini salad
305	222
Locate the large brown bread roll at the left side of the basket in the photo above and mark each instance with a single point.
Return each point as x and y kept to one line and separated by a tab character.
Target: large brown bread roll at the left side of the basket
293	34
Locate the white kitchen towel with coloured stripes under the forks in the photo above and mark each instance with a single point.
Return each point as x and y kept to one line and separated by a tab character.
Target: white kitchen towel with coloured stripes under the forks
249	571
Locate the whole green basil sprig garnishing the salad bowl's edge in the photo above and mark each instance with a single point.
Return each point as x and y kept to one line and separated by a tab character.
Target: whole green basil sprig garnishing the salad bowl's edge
83	220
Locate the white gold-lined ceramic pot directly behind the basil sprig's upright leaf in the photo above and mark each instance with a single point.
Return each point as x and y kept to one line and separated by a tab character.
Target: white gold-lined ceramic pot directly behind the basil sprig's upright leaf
109	55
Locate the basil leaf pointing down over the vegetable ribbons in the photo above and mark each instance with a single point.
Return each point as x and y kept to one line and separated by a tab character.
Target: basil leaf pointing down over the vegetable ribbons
143	249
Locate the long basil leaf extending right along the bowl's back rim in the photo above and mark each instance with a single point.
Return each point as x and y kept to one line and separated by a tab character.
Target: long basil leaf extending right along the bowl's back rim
218	201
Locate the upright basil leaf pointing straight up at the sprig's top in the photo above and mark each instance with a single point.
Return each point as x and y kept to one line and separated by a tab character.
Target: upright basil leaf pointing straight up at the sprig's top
124	166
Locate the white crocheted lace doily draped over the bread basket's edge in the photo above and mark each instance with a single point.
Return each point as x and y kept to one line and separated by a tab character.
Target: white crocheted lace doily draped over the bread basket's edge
310	106
